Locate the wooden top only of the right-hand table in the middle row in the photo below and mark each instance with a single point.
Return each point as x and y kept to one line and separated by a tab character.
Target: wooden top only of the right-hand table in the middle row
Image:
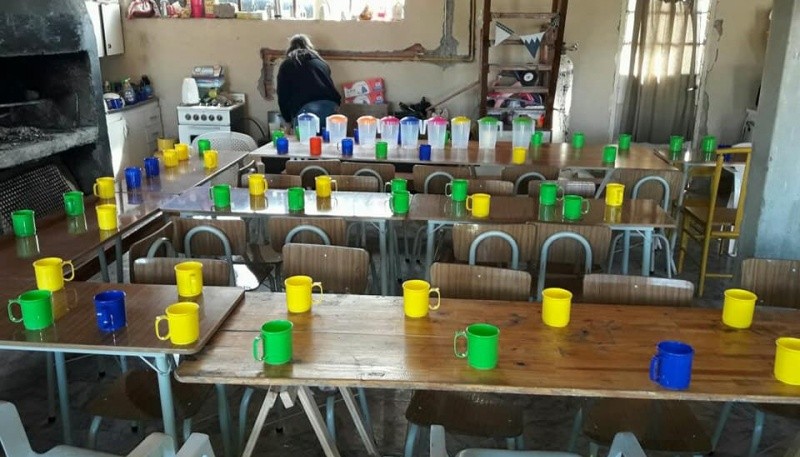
521	209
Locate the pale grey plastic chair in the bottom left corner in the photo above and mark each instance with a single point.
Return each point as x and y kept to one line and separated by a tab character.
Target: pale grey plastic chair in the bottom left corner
14	441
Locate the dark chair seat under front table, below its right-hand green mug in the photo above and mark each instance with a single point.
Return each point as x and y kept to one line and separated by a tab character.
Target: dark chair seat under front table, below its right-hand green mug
466	413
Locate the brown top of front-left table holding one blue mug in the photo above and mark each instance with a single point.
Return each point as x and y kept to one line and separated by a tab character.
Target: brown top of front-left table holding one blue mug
76	329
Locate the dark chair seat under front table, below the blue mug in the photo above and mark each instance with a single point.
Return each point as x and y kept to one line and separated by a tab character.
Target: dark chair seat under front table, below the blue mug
668	426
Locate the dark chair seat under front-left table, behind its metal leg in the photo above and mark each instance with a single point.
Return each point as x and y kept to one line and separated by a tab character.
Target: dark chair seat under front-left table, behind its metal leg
135	397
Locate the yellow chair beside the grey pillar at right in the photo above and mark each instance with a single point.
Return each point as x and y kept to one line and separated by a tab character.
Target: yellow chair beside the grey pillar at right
712	221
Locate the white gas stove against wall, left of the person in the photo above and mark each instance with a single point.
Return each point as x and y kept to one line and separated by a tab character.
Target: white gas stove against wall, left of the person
195	120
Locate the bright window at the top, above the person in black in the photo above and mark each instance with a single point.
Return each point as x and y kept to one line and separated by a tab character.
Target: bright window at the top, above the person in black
329	10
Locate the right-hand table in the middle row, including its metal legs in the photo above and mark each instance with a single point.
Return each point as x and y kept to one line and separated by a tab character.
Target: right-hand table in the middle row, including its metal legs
640	215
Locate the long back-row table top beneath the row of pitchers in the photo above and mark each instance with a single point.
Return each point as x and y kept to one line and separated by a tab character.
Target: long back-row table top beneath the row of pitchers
561	155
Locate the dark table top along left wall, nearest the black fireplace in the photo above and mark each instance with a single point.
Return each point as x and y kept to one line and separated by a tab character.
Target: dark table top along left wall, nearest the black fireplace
72	238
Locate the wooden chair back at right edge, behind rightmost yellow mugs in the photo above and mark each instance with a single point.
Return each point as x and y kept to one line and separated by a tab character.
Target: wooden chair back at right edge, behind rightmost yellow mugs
775	282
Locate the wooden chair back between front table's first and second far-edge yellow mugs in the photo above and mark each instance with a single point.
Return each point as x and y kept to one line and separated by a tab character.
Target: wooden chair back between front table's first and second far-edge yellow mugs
340	269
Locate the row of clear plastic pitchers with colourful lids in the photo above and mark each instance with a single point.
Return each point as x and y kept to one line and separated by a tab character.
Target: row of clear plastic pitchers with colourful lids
406	131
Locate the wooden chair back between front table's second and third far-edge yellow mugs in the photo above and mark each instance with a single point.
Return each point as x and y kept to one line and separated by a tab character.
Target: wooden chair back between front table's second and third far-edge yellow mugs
480	282
